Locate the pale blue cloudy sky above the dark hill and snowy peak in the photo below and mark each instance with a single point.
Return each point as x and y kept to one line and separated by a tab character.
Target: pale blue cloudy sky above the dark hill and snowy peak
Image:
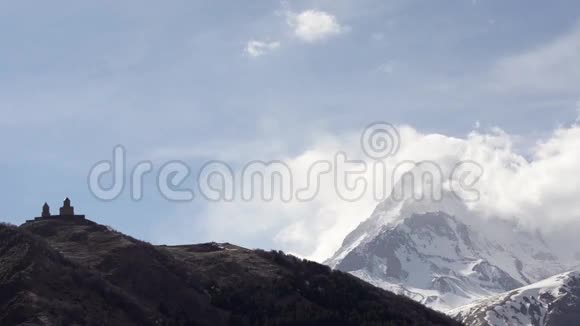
296	81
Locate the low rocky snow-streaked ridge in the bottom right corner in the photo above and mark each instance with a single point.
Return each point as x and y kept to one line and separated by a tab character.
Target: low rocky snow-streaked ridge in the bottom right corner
552	302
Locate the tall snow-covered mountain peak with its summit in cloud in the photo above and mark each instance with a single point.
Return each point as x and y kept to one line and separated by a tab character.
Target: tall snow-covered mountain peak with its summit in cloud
442	254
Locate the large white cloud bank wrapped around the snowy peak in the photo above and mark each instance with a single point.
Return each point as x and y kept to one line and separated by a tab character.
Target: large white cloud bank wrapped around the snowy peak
537	185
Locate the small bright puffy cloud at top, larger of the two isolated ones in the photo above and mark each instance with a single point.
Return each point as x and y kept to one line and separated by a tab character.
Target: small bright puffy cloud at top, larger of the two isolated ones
313	25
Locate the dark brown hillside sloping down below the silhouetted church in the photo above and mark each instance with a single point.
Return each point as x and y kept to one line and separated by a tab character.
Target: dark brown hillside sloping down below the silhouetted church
64	270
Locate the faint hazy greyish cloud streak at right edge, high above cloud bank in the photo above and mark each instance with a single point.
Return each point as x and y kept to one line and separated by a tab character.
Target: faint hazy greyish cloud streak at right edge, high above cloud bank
550	68
